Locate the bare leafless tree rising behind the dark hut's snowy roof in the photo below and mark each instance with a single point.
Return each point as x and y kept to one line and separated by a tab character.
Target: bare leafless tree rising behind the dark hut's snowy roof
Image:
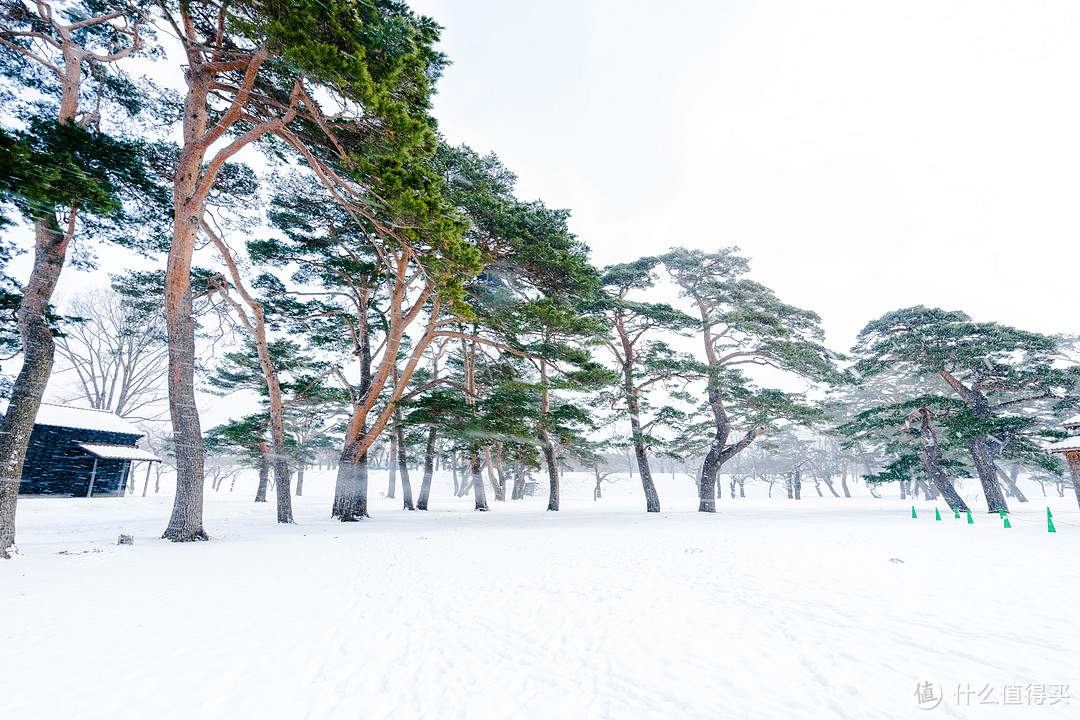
117	354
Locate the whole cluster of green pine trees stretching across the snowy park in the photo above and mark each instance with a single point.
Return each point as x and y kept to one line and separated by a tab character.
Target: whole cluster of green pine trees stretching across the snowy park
389	284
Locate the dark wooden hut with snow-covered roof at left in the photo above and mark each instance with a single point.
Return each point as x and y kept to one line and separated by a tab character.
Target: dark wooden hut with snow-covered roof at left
79	452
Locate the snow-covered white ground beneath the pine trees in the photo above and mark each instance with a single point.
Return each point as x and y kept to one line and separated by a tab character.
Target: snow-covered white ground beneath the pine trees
822	608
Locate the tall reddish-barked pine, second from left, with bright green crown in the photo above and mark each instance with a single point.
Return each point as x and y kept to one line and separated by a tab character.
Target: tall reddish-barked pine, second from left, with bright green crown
343	85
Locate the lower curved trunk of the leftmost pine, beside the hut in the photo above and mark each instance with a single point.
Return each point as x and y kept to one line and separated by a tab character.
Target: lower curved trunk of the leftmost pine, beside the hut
38	354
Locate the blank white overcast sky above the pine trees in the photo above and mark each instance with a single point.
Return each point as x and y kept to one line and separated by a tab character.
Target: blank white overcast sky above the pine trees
867	155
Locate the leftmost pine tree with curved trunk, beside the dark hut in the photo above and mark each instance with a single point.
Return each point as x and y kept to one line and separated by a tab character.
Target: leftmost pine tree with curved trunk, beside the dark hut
65	55
